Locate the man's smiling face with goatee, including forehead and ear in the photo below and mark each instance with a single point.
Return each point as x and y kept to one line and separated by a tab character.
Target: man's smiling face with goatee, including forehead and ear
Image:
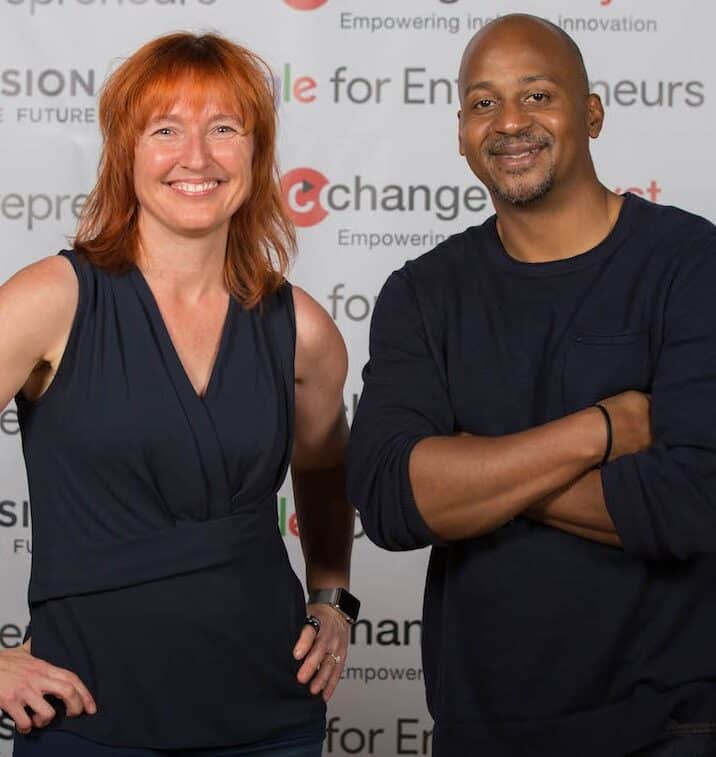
525	117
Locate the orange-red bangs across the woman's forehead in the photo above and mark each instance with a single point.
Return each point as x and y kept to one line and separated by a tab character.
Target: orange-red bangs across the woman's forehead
194	86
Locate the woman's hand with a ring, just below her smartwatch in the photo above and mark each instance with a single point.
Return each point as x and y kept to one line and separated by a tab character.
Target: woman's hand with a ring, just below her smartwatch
323	652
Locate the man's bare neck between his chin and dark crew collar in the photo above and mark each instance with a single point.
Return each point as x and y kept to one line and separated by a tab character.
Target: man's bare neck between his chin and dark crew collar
558	227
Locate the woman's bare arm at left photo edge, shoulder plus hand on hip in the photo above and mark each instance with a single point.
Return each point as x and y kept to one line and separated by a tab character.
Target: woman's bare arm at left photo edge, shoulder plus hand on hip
37	307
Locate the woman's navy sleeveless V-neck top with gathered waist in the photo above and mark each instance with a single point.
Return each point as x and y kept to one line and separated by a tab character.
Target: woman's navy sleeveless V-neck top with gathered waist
159	574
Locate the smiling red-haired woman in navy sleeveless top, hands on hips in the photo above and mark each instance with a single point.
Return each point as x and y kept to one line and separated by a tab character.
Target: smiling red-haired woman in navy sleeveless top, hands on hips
166	375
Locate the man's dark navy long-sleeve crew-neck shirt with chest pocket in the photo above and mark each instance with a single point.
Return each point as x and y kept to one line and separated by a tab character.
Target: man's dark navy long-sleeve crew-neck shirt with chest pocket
536	641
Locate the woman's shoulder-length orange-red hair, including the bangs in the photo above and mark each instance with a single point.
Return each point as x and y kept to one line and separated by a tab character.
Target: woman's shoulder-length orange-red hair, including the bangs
261	236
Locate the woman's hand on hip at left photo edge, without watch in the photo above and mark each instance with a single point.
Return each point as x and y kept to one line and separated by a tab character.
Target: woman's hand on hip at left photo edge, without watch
24	682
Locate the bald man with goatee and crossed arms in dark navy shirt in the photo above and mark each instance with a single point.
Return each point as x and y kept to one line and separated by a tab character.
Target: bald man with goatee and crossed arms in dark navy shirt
570	607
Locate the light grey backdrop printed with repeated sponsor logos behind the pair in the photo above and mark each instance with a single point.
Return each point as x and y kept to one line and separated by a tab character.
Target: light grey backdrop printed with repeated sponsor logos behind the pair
367	100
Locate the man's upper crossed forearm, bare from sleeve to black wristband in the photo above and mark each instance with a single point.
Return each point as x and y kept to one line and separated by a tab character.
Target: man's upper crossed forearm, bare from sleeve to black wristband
466	486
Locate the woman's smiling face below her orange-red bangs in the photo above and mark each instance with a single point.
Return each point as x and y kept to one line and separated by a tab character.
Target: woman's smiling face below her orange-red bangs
192	168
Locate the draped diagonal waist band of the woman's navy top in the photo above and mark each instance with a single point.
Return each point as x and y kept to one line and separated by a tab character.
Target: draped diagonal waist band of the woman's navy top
187	547
